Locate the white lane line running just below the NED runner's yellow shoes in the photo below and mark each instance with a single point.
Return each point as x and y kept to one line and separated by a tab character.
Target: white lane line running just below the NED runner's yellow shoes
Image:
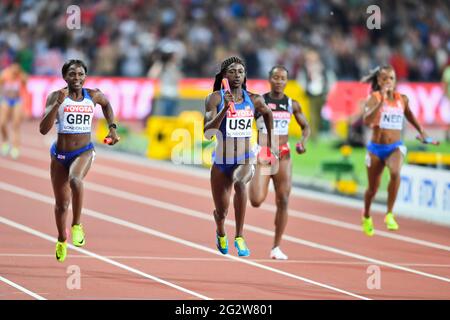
205	193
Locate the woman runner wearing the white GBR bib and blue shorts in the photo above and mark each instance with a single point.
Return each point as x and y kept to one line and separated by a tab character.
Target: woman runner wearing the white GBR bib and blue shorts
73	152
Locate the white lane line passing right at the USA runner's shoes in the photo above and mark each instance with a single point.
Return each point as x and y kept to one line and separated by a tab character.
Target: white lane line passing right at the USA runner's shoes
162	235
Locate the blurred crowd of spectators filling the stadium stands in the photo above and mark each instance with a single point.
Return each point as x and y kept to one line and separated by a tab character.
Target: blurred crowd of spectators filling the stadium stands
125	38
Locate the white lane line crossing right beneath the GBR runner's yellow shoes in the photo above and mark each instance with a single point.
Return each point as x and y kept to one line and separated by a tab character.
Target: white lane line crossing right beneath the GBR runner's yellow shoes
99	257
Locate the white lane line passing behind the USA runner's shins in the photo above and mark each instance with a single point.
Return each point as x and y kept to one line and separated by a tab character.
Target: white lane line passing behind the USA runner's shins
198	214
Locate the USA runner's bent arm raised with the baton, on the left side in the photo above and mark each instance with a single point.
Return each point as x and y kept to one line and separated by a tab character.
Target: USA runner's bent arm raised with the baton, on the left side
212	120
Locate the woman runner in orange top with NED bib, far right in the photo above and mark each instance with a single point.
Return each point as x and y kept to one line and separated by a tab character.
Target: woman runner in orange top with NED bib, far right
384	112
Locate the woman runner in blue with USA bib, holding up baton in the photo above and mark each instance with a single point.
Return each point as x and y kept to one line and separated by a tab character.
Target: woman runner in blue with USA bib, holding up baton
234	160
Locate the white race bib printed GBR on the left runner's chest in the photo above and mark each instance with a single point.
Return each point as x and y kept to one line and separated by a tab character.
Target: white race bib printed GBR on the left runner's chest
78	119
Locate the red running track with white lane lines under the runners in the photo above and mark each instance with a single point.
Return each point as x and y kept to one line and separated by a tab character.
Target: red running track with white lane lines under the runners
150	235
